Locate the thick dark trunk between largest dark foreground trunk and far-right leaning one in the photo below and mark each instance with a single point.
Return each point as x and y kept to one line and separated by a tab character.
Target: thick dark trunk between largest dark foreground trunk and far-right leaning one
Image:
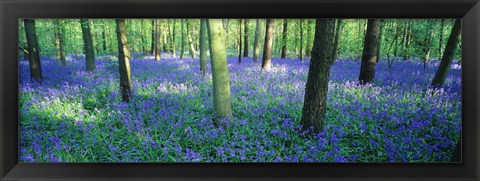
369	55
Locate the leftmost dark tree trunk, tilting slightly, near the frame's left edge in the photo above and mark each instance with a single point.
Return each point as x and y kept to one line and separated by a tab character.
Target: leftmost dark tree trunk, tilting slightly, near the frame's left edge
34	55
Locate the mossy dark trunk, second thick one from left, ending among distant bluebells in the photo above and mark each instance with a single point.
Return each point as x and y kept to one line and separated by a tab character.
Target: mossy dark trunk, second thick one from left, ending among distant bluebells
88	44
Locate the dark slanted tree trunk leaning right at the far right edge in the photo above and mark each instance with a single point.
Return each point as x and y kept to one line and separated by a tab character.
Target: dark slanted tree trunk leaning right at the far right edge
448	55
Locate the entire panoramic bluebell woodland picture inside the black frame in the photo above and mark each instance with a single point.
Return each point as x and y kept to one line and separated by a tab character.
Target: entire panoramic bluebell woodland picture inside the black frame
239	90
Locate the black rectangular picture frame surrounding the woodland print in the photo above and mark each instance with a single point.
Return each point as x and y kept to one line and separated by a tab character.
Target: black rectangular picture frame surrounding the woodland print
12	10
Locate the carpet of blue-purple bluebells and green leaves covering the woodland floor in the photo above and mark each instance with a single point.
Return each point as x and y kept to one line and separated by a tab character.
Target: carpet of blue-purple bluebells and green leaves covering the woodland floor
75	116
